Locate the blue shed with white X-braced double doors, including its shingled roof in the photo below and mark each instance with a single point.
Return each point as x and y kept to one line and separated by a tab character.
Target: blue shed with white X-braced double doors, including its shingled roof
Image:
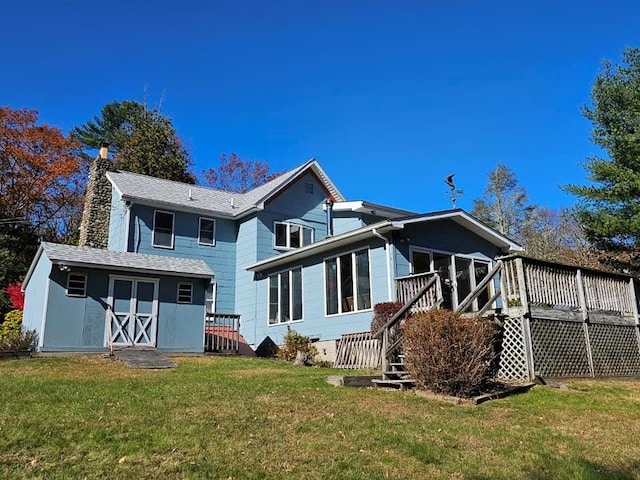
84	299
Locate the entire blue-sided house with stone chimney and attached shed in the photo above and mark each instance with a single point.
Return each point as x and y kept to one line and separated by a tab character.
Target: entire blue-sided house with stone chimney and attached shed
293	253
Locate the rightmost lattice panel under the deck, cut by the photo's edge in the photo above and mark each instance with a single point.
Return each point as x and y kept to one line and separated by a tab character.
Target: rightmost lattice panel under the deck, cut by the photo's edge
615	350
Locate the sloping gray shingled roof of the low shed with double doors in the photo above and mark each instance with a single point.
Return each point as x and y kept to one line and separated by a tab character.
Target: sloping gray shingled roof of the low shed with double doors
124	261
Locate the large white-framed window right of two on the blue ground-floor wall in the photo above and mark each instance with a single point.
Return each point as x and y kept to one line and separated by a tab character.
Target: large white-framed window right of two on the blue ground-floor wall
347	283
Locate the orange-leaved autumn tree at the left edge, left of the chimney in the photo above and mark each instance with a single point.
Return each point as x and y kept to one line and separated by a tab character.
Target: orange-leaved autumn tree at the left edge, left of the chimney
40	181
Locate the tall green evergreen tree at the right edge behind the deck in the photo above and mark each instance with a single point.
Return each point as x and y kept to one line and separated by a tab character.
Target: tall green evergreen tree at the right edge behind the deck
609	207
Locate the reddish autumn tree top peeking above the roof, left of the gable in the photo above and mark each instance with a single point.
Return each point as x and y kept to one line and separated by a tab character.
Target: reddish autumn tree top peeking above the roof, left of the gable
237	175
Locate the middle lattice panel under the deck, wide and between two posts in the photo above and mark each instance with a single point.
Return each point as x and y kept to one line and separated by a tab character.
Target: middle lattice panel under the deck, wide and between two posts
559	349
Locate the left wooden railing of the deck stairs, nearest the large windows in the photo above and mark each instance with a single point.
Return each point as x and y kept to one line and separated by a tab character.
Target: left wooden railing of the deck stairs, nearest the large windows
391	334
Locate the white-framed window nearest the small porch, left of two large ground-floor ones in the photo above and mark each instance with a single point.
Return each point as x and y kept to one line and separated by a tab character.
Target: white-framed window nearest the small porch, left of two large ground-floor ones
285	297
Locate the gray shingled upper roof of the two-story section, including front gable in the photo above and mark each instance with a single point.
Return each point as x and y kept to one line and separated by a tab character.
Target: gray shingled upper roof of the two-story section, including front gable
157	191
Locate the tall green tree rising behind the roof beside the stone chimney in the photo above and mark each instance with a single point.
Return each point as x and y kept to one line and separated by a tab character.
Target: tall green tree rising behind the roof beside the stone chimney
142	140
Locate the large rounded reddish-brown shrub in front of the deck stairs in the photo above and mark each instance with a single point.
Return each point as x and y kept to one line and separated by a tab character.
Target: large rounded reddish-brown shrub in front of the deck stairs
449	354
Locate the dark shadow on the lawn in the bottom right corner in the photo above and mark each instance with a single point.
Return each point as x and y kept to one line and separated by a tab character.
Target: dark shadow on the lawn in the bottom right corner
582	469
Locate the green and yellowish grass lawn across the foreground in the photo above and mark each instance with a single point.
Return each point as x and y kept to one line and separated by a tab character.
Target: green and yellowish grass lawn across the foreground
222	418
